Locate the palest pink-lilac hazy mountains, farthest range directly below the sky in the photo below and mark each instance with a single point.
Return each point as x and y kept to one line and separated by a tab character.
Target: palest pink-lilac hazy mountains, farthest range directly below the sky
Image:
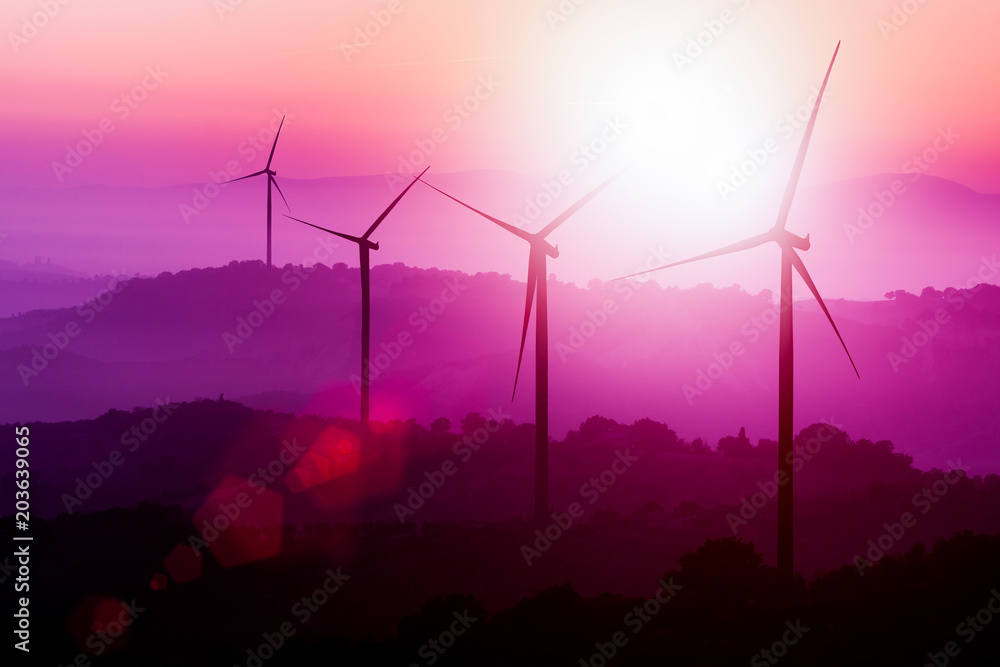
926	231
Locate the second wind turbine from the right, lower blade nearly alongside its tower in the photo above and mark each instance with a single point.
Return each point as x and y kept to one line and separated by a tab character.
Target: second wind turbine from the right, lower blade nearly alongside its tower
536	285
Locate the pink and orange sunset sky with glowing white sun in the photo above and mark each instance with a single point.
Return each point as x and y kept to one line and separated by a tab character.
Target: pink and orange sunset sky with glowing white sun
163	93
